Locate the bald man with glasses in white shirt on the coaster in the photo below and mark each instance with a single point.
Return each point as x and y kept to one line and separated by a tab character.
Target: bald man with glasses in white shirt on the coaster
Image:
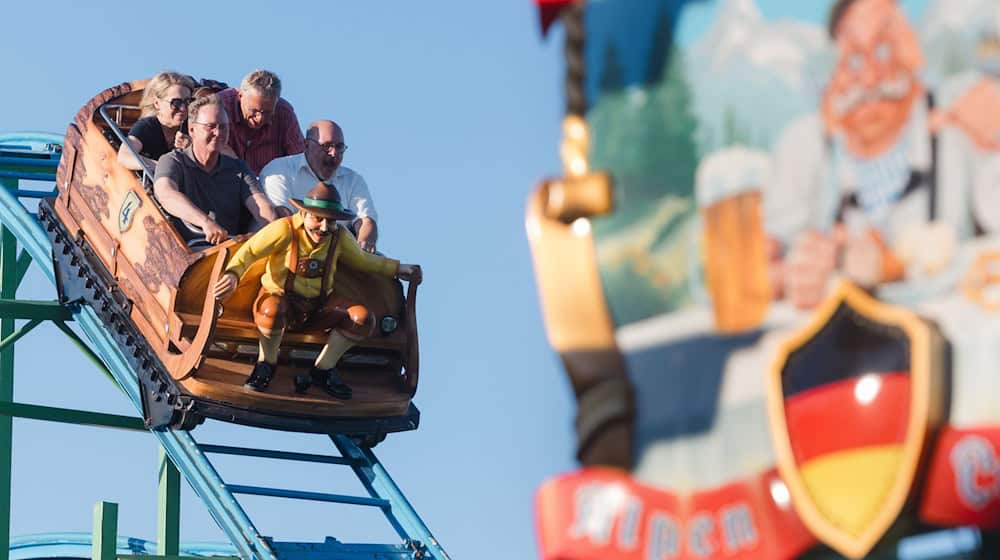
293	176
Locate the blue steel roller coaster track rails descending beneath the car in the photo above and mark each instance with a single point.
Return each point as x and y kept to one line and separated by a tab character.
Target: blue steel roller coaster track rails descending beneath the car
190	457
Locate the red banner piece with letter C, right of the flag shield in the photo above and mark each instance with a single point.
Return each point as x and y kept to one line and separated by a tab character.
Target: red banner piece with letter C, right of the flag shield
963	482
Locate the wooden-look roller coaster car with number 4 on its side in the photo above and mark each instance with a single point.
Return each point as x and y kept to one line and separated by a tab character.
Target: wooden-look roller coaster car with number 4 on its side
115	250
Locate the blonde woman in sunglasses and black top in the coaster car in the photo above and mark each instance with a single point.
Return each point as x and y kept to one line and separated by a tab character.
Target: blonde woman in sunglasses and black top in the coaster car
161	129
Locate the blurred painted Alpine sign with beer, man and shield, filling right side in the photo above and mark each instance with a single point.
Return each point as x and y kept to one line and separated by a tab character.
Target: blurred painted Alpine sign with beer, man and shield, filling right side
713	154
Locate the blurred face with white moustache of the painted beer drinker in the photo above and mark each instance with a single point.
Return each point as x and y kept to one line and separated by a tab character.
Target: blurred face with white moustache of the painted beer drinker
875	83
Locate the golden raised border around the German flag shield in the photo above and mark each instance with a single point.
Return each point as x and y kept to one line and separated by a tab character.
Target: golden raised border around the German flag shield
925	412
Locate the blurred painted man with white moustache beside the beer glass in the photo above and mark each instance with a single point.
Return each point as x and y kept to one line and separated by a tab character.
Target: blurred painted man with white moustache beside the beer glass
886	168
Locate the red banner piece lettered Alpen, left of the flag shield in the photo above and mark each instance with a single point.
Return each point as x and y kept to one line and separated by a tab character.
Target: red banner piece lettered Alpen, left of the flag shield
603	514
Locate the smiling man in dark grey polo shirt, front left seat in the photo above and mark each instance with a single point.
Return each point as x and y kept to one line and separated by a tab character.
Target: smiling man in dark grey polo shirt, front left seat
206	189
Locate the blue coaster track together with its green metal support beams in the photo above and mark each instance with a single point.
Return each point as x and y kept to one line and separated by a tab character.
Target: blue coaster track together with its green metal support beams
180	453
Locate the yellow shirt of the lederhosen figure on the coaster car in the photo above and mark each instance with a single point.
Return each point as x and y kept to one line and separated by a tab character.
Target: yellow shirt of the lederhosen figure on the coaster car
273	242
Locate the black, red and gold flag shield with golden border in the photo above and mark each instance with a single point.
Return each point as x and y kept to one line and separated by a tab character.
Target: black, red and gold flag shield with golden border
852	400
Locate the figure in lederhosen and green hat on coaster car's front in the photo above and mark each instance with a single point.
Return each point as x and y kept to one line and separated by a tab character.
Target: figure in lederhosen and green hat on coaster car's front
297	288
